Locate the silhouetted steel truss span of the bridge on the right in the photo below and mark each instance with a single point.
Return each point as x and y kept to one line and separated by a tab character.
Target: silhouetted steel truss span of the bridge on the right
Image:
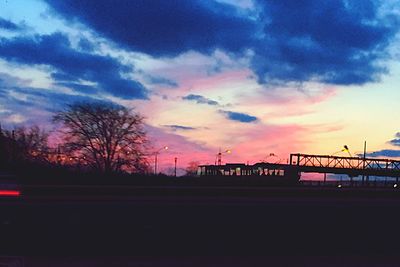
356	163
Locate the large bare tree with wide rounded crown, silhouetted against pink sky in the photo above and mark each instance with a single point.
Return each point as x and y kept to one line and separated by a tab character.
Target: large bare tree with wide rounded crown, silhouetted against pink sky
105	136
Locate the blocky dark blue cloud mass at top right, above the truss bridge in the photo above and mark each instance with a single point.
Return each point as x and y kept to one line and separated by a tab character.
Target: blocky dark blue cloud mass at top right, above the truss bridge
337	42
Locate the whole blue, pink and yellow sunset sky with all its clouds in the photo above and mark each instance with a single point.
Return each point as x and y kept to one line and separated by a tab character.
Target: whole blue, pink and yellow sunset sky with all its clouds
252	76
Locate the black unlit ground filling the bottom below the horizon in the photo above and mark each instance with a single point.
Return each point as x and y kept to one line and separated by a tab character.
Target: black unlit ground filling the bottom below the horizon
92	226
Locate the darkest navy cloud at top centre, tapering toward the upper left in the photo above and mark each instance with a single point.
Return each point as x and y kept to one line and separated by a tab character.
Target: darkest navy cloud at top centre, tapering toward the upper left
163	28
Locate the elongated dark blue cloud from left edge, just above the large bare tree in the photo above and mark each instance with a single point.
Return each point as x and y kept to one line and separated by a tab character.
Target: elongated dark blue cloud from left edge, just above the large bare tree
71	65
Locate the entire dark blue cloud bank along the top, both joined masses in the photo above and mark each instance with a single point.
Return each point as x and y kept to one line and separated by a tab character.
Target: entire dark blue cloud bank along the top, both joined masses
332	41
